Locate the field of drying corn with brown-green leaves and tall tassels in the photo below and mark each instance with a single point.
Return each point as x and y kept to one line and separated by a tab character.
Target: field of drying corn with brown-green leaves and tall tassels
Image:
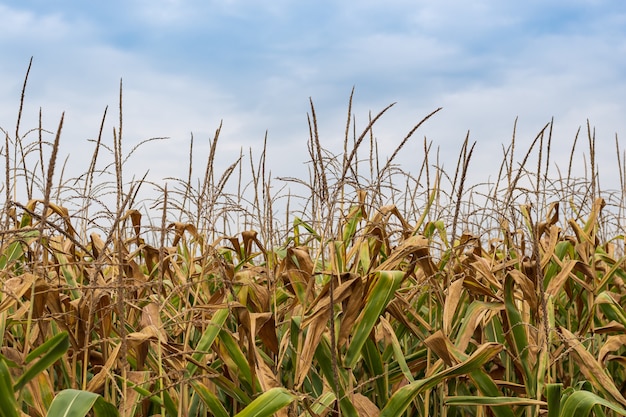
382	293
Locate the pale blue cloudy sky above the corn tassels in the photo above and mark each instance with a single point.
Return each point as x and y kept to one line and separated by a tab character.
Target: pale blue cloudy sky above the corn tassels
189	65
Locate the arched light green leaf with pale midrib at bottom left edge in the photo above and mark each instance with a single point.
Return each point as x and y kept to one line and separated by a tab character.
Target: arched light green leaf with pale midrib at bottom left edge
75	403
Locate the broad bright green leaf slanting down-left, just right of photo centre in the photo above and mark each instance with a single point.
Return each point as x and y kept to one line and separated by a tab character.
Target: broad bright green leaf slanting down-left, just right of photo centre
381	293
